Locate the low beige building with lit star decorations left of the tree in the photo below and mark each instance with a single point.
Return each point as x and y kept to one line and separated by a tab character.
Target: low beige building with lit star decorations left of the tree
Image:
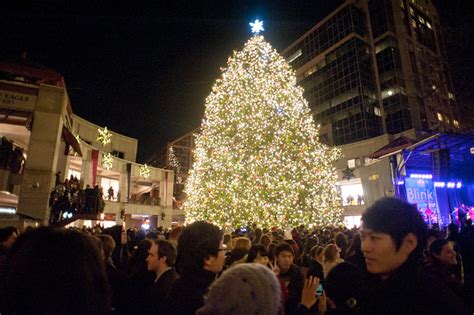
44	144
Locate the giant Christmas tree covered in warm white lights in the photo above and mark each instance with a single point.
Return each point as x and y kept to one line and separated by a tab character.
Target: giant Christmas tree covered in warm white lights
258	158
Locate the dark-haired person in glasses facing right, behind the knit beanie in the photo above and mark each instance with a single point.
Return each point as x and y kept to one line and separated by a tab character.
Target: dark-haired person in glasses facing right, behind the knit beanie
200	258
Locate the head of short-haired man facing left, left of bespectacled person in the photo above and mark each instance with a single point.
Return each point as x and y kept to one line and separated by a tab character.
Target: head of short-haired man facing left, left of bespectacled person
161	255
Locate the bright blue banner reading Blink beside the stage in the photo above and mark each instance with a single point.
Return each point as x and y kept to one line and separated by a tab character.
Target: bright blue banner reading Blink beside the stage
421	193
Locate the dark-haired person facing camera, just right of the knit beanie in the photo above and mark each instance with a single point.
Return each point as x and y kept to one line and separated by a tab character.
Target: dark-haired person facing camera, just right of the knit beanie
290	276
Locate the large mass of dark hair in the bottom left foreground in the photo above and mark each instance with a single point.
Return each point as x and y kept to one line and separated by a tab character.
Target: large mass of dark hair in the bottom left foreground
54	271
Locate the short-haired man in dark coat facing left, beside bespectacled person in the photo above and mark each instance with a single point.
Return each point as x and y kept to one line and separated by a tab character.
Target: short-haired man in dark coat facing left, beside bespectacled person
160	260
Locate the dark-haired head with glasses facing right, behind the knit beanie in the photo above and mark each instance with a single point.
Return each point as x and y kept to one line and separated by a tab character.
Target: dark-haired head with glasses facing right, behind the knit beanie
200	246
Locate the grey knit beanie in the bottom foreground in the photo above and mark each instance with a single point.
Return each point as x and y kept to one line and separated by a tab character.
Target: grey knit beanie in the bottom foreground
245	289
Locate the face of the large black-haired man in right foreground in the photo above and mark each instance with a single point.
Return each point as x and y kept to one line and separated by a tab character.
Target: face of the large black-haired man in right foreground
381	255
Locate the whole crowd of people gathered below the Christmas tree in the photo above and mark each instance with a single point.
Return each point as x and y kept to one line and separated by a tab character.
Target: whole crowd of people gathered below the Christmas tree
392	264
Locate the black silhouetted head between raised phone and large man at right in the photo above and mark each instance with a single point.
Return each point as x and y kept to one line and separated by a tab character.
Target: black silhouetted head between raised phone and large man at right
343	286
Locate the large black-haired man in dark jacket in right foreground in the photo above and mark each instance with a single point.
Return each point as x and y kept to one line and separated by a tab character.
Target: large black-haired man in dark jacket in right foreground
393	238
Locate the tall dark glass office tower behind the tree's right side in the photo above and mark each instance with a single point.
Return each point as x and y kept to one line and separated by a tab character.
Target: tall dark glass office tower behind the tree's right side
376	67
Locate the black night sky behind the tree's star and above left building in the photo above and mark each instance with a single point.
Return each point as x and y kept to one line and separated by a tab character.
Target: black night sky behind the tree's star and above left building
145	70
